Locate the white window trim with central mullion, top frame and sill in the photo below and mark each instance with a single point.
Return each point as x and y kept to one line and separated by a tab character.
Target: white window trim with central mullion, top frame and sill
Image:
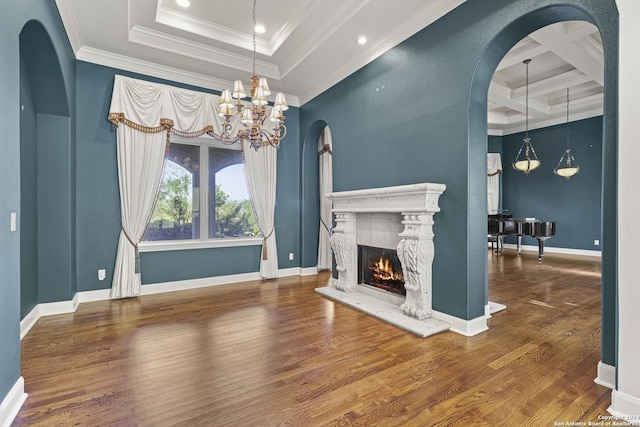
202	243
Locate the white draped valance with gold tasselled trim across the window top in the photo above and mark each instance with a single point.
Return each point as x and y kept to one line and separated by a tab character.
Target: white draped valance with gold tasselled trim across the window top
147	106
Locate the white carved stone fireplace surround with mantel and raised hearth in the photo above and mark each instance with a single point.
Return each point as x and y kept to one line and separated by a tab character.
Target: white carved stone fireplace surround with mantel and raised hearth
398	218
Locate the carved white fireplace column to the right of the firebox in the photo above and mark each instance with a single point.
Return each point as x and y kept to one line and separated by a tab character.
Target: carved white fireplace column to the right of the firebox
416	251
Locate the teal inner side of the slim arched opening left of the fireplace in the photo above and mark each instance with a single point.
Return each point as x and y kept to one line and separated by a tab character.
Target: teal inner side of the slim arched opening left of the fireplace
310	195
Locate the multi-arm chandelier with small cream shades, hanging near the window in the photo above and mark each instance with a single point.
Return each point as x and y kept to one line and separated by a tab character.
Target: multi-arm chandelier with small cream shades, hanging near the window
259	128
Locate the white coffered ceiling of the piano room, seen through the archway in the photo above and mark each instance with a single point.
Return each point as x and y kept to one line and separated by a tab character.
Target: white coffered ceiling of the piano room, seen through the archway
564	55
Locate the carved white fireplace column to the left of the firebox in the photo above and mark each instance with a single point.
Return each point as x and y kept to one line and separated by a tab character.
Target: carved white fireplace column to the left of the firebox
345	250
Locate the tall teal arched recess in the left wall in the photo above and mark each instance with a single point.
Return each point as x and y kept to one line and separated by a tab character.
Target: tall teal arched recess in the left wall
47	211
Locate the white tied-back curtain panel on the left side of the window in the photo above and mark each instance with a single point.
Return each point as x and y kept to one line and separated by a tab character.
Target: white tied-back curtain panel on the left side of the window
140	167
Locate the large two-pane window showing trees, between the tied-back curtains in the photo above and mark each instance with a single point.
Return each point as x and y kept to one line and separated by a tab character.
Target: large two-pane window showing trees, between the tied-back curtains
203	196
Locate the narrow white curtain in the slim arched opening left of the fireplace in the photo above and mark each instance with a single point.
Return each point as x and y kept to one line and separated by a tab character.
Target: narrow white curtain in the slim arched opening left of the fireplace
326	186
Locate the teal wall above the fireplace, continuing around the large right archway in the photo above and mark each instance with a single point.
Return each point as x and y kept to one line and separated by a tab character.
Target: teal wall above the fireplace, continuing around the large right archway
419	114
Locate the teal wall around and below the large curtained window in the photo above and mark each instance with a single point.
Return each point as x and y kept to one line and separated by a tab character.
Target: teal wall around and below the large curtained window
98	204
